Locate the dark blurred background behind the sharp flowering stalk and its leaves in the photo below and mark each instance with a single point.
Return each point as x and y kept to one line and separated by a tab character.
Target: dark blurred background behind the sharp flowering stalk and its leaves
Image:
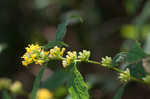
109	26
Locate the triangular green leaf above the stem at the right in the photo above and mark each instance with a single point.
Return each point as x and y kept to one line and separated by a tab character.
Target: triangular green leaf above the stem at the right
136	53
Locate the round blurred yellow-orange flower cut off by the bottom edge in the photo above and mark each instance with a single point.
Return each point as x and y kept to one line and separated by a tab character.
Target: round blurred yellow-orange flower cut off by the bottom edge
44	94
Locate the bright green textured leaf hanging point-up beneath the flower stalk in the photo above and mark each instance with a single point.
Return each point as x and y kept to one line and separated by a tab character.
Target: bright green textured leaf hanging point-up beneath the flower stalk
76	86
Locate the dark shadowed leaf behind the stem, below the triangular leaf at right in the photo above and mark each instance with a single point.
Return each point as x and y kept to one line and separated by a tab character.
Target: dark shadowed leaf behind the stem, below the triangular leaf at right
137	70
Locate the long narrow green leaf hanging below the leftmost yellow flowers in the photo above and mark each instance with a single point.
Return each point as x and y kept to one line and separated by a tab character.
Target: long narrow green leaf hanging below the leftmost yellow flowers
37	82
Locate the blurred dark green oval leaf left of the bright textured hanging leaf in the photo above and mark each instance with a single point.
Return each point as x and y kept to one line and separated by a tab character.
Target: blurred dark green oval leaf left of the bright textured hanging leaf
55	80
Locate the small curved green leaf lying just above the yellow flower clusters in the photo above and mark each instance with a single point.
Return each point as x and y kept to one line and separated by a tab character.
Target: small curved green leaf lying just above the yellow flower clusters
54	43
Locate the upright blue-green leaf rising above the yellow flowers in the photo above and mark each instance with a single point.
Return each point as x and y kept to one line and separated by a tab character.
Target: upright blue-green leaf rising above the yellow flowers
61	31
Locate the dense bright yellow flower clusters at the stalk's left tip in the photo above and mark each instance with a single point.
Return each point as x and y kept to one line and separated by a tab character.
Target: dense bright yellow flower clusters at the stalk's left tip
36	54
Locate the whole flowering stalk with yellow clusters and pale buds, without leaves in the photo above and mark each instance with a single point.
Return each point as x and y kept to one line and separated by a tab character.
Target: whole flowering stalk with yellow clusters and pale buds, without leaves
36	54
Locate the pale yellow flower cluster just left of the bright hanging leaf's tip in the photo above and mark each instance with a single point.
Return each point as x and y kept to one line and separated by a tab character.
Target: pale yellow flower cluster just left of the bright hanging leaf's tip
70	58
